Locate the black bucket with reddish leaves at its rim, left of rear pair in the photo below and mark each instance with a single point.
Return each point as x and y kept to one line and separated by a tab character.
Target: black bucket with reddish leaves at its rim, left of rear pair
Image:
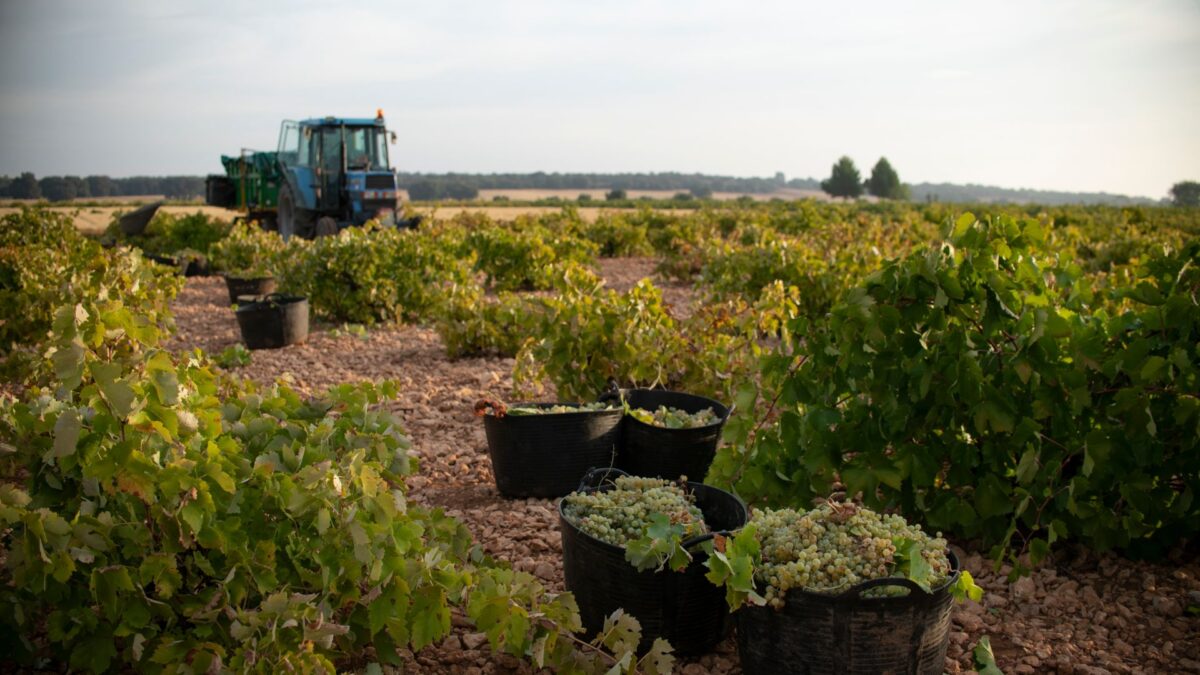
545	456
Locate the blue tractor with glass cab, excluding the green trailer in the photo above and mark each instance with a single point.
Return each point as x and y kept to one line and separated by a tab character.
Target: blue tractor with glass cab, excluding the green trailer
335	174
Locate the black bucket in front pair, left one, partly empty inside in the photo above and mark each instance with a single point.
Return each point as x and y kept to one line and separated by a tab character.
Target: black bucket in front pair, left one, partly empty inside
685	608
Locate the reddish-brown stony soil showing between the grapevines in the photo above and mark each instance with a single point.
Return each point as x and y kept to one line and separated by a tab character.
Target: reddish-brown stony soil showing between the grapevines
1085	614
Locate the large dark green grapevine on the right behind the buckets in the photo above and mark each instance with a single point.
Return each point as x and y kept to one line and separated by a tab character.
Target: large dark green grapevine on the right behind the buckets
985	389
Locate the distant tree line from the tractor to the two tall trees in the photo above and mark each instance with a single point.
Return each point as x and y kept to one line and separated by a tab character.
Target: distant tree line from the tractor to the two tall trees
694	183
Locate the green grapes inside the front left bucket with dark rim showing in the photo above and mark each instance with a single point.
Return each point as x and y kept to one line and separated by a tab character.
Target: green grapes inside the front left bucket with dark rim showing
649	517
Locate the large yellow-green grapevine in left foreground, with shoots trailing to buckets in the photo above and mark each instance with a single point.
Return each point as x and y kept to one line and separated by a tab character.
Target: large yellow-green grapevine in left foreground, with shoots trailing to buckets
169	519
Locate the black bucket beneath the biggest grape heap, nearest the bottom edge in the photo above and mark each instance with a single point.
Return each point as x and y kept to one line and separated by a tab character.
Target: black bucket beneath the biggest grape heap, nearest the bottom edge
850	635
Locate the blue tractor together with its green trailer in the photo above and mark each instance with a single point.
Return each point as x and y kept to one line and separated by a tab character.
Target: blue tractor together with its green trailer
328	174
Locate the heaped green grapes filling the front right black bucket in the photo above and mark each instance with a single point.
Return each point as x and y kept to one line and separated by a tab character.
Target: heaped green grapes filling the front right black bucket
839	545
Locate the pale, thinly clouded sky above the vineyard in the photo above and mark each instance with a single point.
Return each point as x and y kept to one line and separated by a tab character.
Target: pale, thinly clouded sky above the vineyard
1099	95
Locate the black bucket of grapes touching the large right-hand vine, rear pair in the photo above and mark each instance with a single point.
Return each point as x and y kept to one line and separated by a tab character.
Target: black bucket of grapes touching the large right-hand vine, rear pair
669	453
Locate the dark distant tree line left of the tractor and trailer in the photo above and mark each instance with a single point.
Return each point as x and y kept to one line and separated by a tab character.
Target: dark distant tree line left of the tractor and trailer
63	188
